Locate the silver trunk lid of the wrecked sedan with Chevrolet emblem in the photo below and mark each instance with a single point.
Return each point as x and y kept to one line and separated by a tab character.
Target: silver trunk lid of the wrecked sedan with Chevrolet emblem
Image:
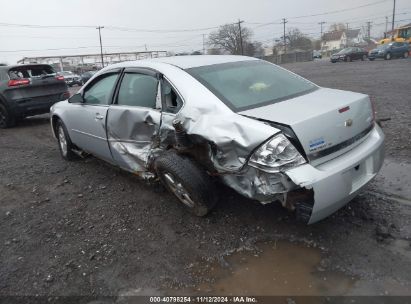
327	122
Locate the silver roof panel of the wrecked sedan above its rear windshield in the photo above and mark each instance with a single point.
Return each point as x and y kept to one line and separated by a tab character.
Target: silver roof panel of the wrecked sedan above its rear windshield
191	61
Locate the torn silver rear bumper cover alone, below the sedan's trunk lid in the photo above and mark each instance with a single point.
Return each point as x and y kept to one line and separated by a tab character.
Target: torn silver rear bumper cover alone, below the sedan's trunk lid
337	181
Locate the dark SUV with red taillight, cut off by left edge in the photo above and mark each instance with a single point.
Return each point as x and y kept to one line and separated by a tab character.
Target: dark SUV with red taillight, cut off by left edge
27	90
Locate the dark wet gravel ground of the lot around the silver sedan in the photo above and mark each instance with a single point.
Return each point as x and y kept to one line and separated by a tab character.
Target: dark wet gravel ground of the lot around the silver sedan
87	228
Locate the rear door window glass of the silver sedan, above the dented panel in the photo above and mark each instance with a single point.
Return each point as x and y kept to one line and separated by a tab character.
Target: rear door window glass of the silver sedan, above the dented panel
138	90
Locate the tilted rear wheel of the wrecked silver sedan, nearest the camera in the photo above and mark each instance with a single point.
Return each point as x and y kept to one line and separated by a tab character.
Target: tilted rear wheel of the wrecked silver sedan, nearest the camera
189	183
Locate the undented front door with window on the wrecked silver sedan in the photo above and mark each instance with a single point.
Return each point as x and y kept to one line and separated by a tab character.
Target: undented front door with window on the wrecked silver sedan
87	121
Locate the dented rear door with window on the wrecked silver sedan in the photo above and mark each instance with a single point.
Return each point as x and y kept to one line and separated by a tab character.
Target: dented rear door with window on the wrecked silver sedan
134	119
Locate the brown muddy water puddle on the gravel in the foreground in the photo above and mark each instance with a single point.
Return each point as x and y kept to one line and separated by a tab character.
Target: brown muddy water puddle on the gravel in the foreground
280	268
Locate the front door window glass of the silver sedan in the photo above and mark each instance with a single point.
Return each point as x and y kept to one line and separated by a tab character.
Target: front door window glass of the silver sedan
101	90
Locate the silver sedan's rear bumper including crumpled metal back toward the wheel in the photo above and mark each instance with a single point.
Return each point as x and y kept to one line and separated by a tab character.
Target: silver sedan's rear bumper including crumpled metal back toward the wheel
317	191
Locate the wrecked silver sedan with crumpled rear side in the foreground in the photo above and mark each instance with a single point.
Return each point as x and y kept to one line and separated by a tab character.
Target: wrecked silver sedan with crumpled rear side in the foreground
267	133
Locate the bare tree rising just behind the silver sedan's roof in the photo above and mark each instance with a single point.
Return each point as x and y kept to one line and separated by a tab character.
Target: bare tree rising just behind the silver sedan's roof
227	37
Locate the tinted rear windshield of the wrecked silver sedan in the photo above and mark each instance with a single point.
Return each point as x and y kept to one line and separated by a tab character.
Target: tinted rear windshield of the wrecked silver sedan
249	84
